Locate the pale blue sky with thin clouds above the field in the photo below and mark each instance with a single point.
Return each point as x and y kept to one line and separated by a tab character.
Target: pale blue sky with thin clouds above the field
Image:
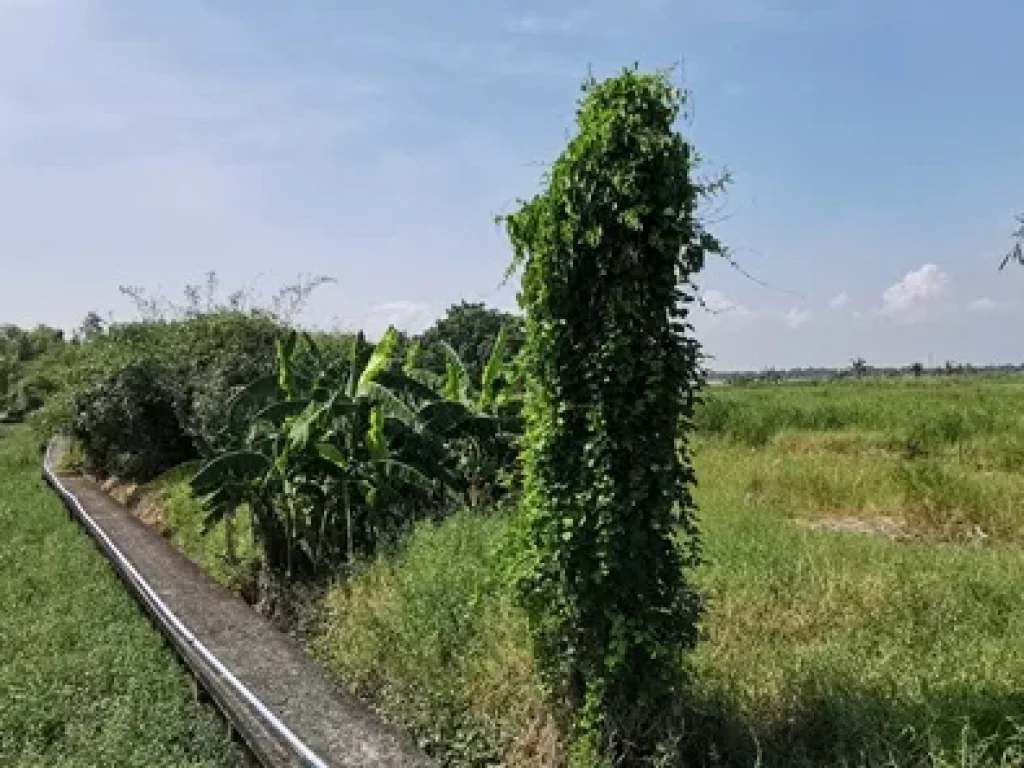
876	149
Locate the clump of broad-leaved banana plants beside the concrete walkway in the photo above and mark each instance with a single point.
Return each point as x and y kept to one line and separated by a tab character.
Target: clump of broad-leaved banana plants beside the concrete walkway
335	455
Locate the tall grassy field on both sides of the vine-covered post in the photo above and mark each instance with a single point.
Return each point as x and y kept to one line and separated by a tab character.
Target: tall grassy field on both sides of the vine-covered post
822	649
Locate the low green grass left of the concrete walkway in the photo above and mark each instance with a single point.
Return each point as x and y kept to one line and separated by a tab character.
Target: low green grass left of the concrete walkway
84	677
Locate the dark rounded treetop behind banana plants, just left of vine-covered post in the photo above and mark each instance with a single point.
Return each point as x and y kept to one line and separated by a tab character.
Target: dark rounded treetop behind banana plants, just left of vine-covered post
471	328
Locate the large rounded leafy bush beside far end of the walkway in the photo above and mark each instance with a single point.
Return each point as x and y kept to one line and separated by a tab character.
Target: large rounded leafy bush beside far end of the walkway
143	397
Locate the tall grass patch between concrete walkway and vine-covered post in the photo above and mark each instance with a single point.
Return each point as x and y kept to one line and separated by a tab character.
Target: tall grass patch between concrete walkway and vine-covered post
434	637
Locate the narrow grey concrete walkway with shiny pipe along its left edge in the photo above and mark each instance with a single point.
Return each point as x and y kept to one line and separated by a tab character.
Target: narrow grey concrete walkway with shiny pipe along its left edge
298	734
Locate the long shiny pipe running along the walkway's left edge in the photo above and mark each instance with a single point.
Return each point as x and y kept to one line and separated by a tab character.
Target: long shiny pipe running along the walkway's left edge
170	622
